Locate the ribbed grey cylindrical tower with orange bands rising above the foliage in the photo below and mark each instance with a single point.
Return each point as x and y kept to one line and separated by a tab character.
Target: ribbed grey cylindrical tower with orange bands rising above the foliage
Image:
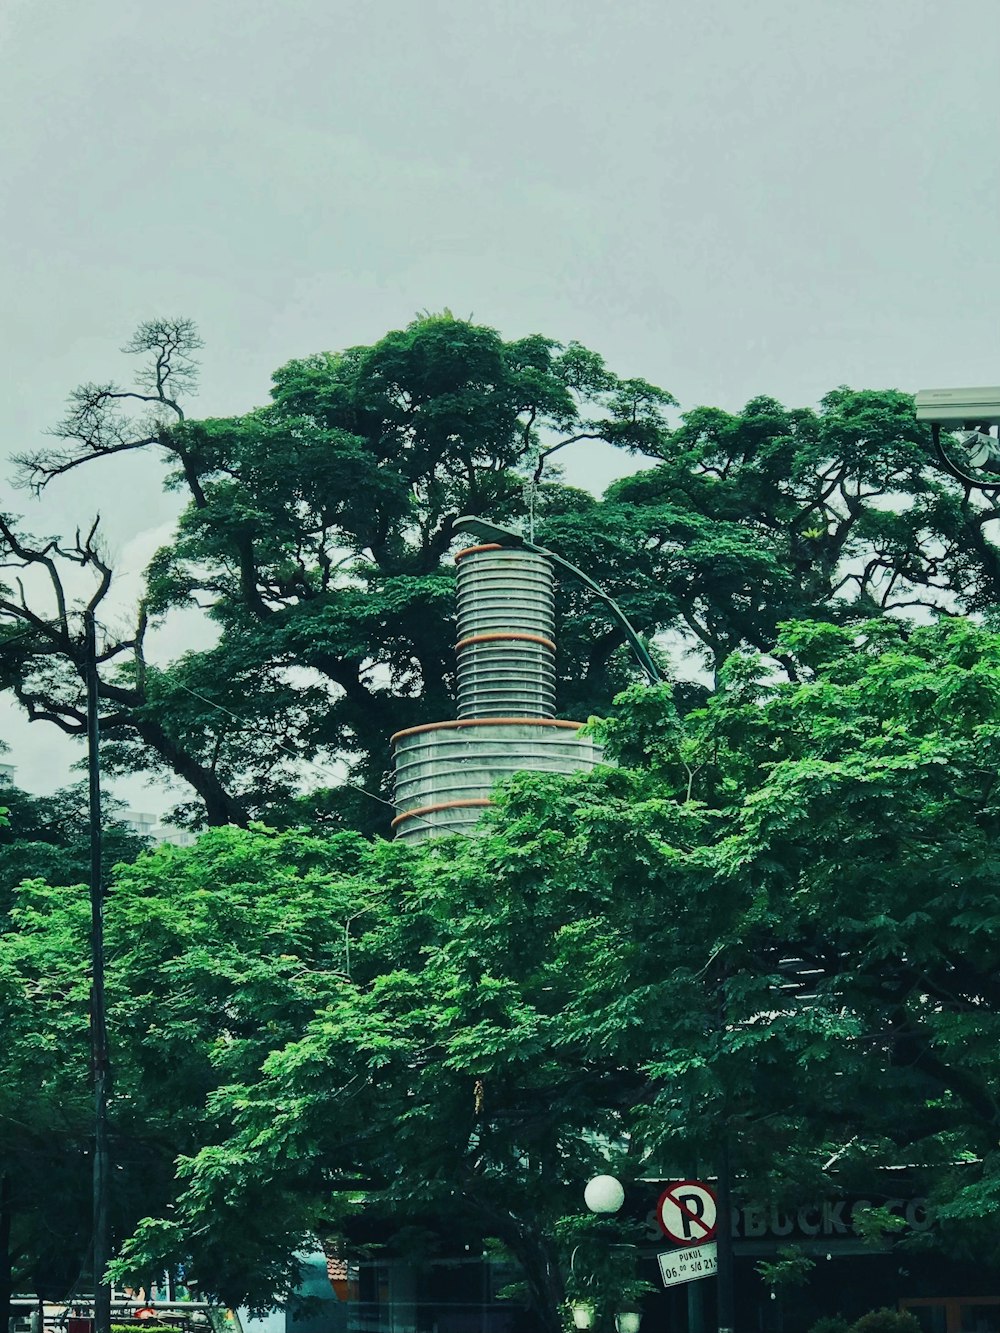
507	700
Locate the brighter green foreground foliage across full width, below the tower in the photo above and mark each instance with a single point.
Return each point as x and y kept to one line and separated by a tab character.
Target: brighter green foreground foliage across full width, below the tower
323	1024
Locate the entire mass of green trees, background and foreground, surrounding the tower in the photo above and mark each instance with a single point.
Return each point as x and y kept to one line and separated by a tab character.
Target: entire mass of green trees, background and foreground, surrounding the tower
774	923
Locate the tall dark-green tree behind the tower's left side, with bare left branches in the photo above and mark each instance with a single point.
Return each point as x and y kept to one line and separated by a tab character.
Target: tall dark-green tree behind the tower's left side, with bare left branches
315	538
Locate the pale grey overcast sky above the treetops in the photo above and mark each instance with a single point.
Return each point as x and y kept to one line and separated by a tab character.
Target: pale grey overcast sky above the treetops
726	198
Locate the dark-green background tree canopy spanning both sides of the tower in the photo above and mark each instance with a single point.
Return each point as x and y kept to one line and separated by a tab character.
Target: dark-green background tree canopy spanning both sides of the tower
319	530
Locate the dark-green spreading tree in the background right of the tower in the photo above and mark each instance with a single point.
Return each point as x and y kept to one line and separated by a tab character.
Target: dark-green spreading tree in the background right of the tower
773	514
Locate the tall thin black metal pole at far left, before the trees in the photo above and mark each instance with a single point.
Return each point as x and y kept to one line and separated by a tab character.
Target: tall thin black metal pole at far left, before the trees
99	1027
